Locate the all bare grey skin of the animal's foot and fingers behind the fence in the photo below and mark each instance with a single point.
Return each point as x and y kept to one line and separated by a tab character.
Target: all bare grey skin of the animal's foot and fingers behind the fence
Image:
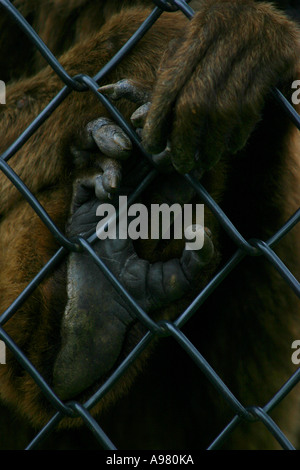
96	318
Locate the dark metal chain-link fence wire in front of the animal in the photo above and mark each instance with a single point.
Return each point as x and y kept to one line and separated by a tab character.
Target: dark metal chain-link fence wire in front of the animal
82	83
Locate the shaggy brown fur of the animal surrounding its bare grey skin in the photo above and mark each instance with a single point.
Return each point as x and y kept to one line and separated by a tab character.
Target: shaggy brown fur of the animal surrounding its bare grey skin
246	329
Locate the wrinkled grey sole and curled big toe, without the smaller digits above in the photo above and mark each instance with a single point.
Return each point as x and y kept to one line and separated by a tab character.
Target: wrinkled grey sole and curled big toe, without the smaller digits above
96	318
